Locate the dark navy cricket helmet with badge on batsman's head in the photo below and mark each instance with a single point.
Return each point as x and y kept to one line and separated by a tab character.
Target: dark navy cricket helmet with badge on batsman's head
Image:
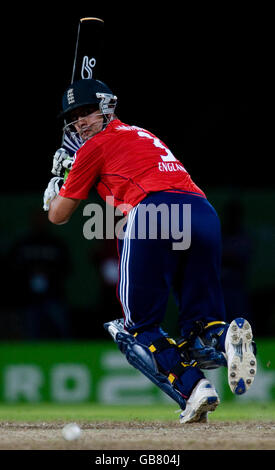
88	92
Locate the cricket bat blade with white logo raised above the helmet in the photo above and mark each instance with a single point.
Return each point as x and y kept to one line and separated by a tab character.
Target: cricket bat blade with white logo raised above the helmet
88	52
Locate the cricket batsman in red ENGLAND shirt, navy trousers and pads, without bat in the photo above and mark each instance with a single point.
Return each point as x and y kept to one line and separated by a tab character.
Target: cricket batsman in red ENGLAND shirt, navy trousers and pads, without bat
139	172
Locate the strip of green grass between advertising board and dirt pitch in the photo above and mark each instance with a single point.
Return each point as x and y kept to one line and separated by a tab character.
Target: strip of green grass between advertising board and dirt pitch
47	412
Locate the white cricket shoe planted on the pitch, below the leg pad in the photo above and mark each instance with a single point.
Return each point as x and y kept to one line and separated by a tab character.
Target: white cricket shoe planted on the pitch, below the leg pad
203	399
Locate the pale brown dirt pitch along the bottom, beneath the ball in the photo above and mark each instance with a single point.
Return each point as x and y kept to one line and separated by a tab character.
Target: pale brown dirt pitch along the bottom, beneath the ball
243	435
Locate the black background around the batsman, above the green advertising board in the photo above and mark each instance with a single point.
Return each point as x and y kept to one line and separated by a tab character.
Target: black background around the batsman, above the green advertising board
200	79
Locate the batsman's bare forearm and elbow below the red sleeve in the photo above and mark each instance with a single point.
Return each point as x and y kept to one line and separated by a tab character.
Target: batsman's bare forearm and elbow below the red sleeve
61	209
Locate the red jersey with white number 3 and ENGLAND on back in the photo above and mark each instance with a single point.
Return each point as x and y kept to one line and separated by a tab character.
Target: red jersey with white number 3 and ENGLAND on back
126	163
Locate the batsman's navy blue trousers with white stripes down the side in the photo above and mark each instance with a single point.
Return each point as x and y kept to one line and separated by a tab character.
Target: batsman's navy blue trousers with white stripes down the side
150	268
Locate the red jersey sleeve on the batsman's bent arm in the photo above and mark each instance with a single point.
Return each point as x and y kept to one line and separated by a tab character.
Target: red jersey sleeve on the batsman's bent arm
85	171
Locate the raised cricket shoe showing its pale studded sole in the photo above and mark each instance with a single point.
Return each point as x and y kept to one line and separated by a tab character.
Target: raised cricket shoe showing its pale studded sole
241	360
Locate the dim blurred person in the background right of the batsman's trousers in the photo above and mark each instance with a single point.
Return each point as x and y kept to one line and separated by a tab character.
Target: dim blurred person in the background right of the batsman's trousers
237	252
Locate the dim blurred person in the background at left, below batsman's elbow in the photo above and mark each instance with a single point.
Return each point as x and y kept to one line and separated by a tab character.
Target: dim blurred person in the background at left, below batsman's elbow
39	265
